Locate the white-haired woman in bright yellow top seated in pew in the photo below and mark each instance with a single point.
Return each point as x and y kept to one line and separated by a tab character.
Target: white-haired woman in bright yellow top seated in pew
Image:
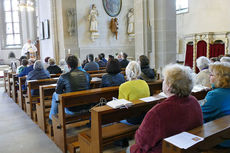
133	89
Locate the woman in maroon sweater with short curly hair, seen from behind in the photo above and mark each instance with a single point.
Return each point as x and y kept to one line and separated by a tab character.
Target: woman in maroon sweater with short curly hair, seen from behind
179	112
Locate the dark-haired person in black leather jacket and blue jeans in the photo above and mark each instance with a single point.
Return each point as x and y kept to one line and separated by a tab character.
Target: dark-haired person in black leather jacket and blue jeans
75	80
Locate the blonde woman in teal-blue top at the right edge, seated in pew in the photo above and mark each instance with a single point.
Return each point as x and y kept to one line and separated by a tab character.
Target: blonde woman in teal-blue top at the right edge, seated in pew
217	101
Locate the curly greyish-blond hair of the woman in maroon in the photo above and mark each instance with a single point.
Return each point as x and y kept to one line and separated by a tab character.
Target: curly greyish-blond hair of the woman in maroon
179	78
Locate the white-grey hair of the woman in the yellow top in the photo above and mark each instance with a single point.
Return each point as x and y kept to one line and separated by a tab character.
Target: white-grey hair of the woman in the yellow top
133	70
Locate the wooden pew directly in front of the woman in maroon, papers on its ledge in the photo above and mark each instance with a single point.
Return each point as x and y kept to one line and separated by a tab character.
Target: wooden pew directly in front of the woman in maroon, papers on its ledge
93	140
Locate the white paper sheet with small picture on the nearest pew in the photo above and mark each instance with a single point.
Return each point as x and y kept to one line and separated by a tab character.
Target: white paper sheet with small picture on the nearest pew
184	140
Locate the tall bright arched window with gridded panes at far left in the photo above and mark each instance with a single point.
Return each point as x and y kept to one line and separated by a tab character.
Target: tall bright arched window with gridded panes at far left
11	31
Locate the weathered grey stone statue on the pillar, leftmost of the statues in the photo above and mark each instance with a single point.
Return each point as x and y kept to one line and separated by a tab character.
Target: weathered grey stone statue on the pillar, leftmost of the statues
71	20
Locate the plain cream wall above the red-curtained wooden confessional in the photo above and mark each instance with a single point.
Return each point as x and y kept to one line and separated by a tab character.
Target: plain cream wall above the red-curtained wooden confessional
203	16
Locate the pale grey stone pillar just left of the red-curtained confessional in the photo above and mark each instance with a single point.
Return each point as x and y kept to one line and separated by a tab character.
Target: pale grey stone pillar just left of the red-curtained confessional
165	32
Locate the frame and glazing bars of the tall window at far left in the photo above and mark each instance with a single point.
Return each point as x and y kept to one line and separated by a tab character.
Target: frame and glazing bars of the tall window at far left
3	22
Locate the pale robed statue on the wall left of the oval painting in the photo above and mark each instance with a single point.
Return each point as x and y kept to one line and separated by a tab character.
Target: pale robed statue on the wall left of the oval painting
93	22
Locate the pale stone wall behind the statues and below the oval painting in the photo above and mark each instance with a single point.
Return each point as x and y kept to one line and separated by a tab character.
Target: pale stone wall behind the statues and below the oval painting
106	42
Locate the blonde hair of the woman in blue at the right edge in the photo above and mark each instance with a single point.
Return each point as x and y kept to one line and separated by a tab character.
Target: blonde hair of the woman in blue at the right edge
222	74
